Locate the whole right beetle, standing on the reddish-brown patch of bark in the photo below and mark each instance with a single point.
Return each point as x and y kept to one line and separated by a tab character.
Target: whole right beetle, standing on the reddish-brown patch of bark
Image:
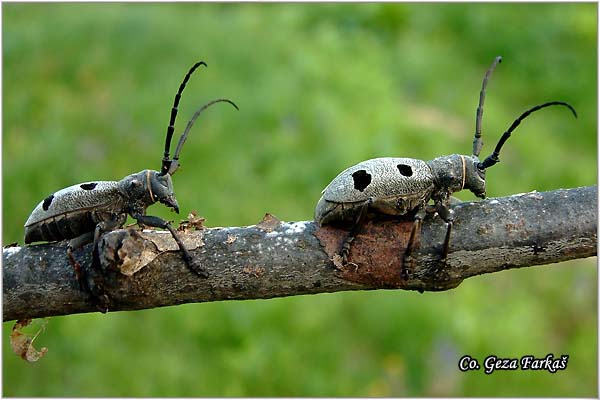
403	187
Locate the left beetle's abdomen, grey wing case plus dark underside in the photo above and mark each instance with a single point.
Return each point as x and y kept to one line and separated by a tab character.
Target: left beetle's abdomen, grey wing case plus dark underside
73	211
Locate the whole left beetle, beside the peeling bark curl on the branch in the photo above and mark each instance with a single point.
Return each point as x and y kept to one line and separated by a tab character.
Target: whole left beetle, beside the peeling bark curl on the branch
82	212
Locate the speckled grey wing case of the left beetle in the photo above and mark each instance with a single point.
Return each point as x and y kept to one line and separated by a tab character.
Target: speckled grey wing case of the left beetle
82	196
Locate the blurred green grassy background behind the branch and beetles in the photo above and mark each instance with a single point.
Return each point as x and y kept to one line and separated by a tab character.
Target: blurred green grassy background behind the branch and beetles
87	90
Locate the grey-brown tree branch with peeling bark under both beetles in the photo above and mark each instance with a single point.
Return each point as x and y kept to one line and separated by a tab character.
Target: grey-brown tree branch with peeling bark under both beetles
273	258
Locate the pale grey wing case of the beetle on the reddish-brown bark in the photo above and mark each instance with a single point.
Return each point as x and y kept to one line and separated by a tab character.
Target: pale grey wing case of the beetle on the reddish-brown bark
388	177
